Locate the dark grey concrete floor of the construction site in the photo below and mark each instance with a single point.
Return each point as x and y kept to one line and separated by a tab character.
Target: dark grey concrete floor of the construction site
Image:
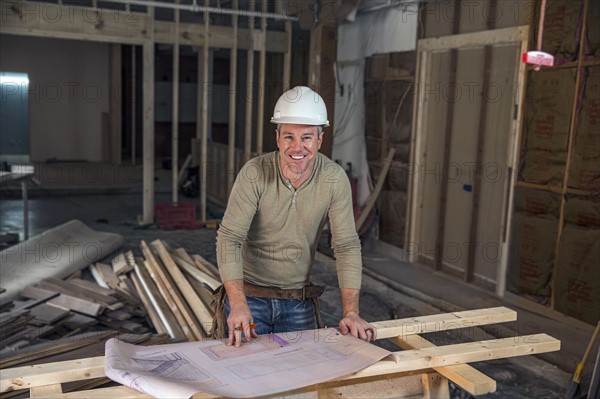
388	284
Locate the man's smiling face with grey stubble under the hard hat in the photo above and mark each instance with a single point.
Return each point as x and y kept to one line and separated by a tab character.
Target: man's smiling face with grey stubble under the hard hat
298	147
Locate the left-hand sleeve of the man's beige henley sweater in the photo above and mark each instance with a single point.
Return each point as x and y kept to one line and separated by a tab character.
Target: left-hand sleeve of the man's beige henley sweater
241	208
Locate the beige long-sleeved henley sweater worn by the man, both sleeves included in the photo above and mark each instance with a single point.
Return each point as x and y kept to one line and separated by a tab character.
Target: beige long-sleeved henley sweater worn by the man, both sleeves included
270	230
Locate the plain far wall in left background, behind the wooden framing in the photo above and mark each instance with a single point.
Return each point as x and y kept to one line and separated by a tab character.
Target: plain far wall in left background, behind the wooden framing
68	92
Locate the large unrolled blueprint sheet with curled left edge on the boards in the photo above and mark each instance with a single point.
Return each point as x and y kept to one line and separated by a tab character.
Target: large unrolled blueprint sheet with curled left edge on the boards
267	365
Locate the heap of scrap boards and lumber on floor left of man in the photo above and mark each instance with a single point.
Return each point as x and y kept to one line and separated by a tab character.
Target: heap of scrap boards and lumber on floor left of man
162	295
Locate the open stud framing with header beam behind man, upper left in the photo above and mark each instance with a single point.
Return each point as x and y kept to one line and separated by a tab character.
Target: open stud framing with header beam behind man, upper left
142	29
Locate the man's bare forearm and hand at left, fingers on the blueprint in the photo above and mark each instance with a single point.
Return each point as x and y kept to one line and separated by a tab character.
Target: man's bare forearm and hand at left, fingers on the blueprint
240	317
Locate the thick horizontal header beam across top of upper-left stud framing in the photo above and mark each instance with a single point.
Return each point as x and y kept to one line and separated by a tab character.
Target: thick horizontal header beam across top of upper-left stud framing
119	26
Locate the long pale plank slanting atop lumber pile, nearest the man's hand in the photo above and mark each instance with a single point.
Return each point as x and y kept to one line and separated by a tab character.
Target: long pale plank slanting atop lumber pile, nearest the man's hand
196	305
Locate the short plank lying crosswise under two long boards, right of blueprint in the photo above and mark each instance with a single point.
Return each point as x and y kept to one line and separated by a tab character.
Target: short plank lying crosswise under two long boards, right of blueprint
463	375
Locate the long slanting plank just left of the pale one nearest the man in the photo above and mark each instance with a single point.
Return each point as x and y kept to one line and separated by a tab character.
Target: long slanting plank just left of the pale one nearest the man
171	295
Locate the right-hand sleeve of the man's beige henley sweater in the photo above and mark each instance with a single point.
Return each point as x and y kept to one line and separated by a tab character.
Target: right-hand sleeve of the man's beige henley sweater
345	241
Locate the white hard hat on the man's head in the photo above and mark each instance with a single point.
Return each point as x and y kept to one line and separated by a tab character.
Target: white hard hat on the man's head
301	106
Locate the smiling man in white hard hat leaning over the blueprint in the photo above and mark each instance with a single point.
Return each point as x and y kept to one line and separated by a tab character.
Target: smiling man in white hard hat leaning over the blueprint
269	233
